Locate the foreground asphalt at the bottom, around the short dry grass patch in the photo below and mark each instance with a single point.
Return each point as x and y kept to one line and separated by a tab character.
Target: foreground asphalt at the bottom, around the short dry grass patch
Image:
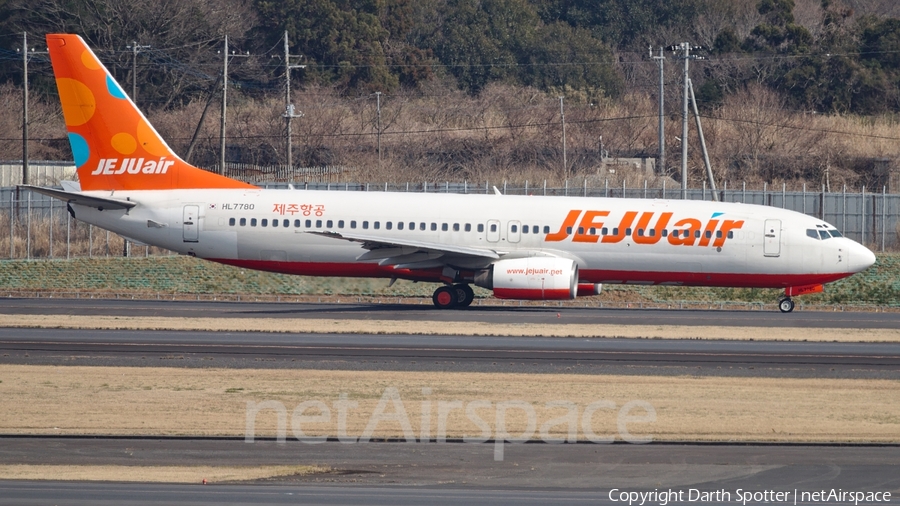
397	473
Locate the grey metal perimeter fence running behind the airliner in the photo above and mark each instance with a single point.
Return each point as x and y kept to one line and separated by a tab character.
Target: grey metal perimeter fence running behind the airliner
36	226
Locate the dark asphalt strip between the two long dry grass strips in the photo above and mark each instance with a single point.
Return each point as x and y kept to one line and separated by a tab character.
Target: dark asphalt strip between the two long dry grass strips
471	353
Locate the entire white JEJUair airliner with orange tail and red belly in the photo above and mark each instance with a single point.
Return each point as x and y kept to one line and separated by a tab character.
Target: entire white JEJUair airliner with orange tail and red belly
521	247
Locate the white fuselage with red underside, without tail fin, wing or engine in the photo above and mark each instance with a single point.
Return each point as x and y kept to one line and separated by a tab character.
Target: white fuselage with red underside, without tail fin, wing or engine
622	240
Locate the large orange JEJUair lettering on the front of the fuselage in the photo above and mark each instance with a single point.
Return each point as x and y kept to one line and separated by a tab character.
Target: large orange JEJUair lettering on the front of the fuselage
645	228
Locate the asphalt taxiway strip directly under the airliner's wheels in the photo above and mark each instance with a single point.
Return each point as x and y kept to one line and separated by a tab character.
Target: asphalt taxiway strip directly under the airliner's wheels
509	314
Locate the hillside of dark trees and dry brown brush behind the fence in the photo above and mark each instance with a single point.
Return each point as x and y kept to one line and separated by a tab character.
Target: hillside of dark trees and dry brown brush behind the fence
794	91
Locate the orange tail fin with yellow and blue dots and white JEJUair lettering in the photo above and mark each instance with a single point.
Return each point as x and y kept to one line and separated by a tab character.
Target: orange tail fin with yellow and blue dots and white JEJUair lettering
114	146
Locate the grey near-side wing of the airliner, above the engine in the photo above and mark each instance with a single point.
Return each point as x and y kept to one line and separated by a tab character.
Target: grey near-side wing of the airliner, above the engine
405	253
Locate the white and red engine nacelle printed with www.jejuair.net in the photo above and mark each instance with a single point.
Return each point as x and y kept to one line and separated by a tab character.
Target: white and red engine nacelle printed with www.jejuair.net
533	278
